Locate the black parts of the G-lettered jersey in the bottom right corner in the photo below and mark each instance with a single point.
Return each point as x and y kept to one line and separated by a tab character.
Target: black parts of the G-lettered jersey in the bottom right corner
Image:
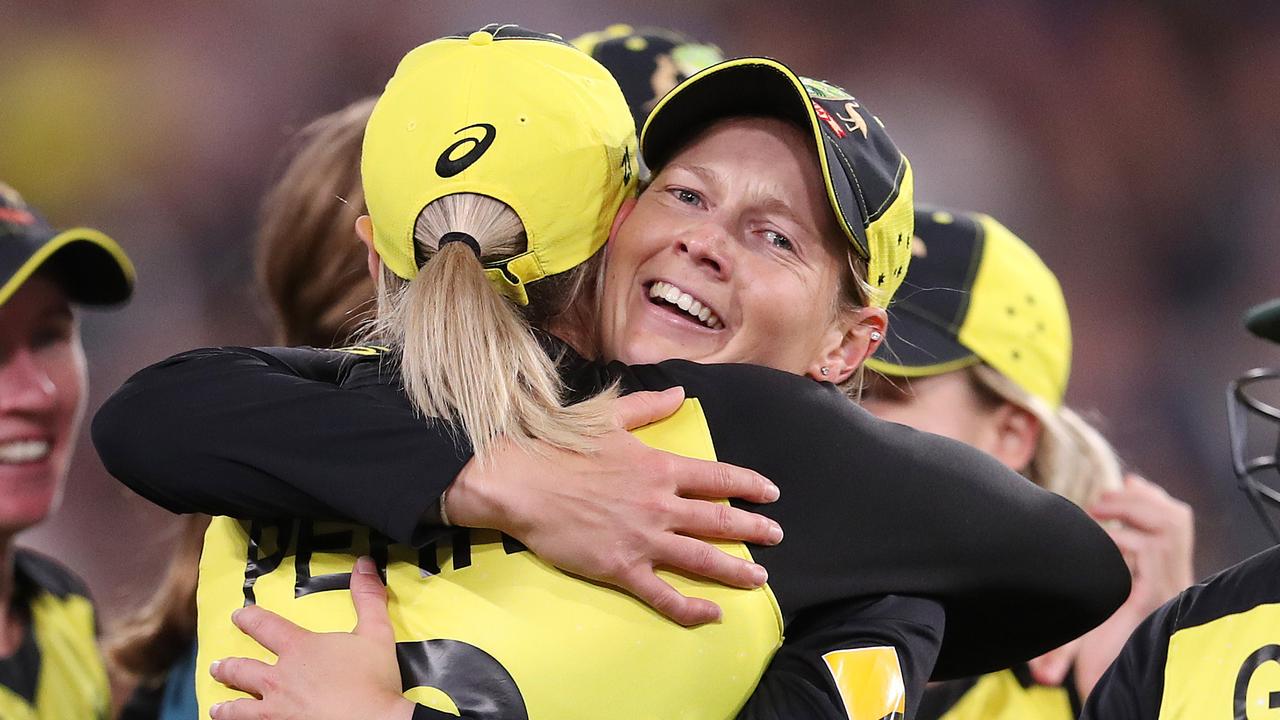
1135	685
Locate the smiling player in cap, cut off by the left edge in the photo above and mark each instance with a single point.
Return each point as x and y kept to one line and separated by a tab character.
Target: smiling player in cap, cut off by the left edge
51	668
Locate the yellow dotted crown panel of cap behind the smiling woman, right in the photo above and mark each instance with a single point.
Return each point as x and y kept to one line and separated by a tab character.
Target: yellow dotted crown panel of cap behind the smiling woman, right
1017	320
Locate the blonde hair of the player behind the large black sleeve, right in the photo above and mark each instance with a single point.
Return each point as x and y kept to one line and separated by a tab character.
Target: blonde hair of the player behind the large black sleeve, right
1072	459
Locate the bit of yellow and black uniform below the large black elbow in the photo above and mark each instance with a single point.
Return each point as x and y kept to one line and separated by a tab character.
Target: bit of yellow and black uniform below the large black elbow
1009	695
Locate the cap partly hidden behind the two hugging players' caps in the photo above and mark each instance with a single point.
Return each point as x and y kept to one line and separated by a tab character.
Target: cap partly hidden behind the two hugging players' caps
647	62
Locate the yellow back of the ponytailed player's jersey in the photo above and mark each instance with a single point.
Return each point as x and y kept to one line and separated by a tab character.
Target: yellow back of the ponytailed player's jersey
573	648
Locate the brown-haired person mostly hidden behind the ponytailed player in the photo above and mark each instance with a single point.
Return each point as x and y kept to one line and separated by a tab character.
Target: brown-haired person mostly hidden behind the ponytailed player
314	276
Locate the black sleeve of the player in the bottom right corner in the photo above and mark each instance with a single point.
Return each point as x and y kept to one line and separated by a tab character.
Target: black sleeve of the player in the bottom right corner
1132	687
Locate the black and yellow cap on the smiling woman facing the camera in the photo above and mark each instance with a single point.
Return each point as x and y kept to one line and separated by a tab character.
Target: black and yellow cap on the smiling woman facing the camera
868	180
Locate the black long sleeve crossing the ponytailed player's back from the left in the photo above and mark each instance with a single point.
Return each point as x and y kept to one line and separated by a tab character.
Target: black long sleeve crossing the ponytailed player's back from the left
236	432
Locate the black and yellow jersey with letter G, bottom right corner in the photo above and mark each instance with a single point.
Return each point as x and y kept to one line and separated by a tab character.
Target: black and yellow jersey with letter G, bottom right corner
1213	653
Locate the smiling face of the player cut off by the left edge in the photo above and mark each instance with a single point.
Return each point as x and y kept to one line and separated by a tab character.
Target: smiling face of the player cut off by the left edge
43	384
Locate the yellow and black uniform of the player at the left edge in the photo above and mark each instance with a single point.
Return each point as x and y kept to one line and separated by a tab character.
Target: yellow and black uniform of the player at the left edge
57	671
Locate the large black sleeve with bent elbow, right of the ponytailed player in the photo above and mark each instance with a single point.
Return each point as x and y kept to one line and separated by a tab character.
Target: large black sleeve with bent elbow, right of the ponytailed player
872	508
